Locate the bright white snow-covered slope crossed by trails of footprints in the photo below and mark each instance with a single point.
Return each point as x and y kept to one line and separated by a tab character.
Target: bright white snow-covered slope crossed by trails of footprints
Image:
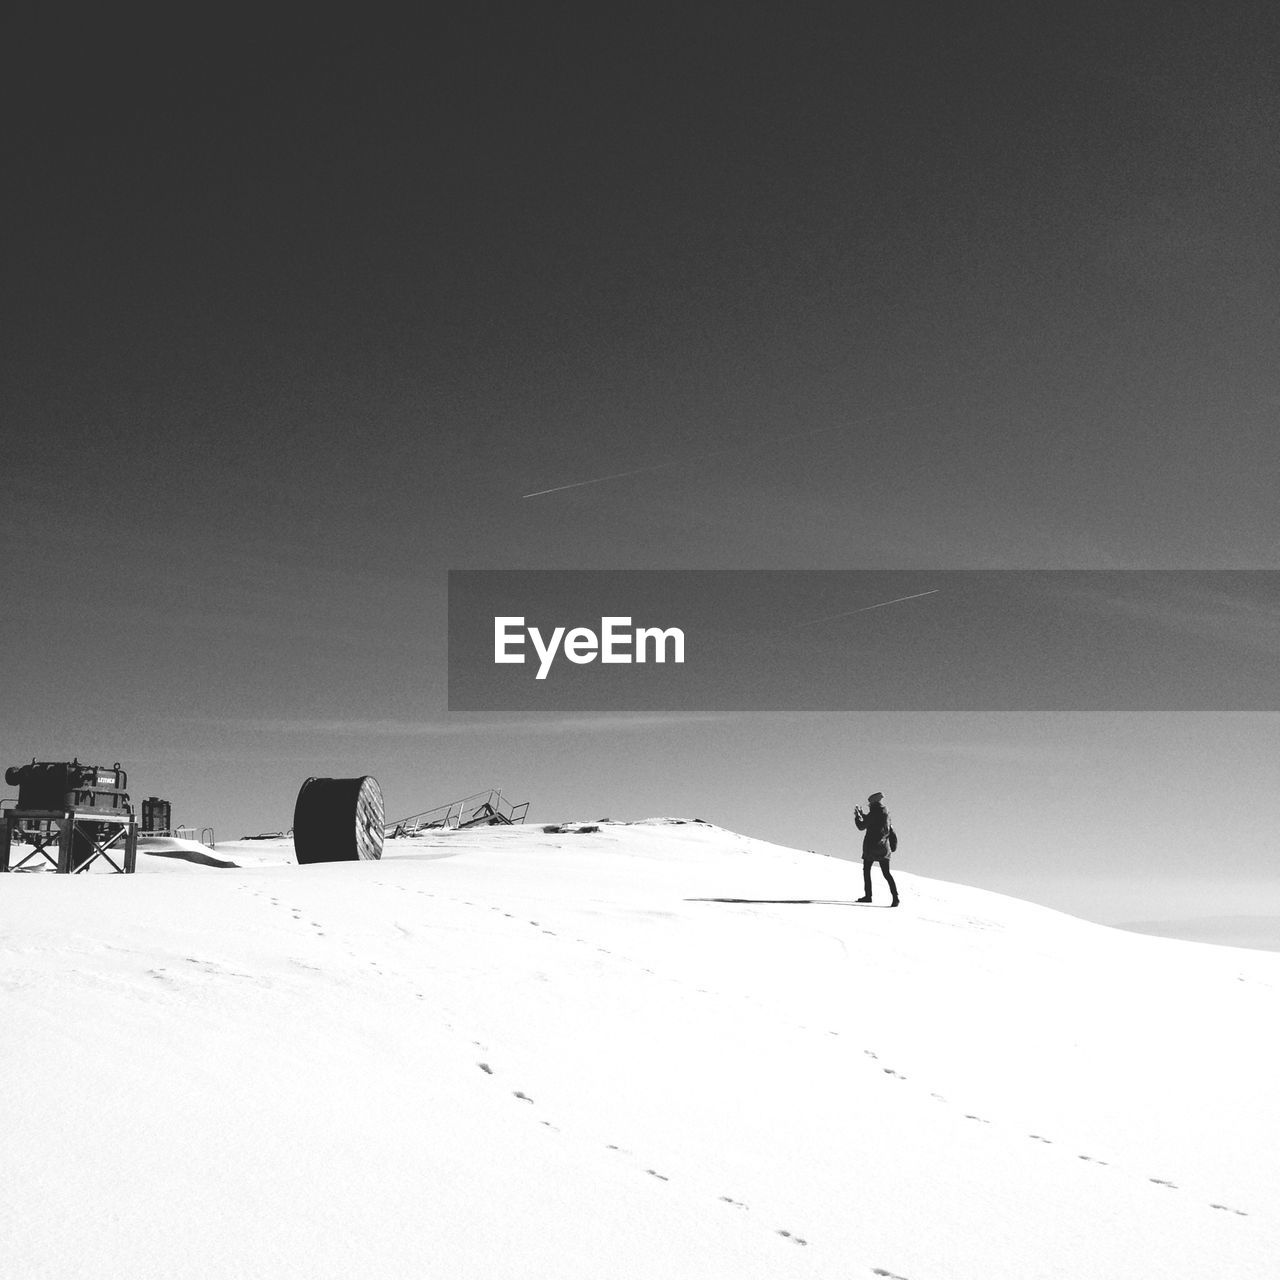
637	1050
